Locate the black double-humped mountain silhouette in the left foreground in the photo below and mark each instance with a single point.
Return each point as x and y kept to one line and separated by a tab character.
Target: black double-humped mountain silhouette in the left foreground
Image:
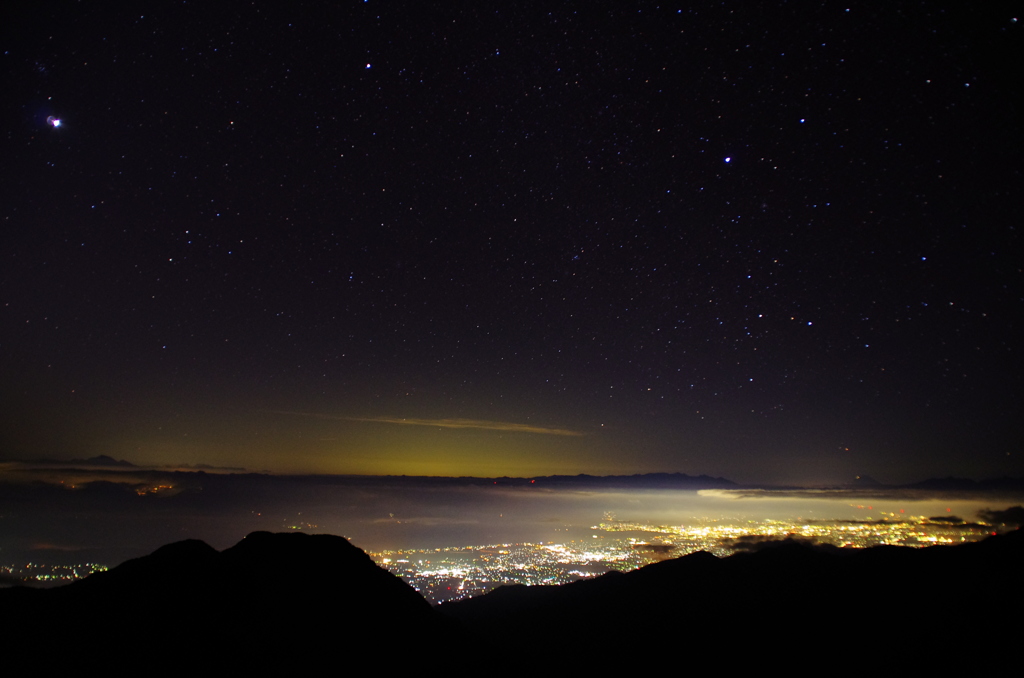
272	603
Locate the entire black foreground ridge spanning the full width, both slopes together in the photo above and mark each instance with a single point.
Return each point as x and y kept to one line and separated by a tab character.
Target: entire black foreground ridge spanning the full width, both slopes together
293	602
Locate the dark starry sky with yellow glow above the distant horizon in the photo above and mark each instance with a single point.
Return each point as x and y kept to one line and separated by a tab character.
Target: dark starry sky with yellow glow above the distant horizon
774	242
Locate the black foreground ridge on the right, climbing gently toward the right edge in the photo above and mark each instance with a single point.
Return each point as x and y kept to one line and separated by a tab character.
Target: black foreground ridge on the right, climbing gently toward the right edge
788	604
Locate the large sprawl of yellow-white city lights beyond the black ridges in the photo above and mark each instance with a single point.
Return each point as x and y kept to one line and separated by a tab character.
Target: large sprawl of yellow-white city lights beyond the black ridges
456	573
